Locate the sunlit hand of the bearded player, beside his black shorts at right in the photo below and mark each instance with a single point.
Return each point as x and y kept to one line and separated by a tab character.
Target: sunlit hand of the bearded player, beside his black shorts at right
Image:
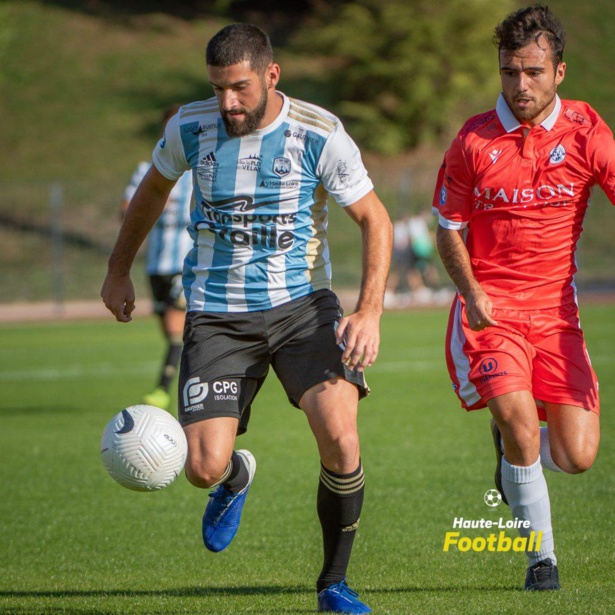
359	333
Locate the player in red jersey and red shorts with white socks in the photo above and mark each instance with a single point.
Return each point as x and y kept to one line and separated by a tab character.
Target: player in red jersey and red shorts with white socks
511	197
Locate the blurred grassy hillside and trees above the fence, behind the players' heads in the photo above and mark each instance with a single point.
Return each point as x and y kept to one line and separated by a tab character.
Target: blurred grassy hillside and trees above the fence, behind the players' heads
84	82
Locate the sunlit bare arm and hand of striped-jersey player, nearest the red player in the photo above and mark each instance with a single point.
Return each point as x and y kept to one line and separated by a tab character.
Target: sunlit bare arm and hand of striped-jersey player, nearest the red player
360	331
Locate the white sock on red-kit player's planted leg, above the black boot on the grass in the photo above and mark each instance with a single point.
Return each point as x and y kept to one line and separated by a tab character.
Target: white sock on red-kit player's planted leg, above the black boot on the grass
526	490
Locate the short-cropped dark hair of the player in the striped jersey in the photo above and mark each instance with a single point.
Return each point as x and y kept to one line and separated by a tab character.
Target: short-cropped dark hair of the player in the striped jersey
237	43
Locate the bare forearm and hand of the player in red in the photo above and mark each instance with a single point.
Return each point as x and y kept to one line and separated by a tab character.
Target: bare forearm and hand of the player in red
456	261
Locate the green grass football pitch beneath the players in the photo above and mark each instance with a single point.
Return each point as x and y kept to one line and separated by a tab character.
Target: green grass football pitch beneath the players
73	541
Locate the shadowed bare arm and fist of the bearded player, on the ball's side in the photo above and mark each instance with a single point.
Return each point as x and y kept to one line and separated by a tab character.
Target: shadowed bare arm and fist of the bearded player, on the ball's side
145	207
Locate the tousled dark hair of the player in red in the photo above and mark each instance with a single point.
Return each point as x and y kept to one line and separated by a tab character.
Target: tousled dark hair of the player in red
527	25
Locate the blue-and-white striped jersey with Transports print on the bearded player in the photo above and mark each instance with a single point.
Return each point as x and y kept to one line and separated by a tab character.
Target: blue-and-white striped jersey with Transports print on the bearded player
259	222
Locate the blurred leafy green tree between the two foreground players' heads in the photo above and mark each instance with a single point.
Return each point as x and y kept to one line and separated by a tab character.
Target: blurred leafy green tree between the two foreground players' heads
406	72
